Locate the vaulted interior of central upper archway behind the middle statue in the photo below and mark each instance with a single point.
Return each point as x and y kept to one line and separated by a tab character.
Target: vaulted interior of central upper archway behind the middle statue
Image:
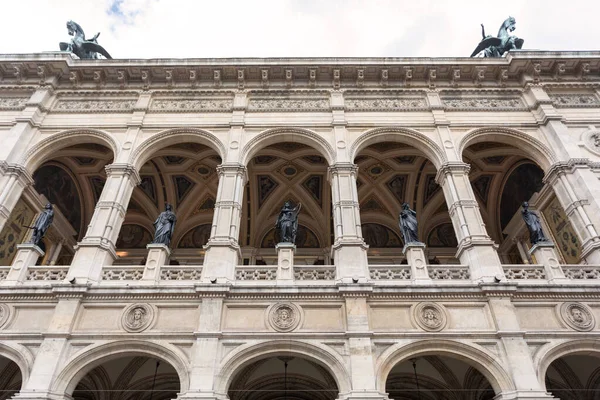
280	172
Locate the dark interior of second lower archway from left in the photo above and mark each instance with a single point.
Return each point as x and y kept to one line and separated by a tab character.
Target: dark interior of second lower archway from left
129	378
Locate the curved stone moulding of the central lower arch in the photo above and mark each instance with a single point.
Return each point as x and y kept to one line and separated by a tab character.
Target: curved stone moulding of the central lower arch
247	354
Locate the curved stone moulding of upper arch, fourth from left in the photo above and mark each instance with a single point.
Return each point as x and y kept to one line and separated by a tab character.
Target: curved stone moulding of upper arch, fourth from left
397	134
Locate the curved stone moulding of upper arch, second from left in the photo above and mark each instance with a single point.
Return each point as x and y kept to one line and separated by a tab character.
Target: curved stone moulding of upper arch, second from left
147	148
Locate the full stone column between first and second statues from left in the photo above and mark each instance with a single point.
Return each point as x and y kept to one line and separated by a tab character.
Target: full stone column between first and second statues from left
97	249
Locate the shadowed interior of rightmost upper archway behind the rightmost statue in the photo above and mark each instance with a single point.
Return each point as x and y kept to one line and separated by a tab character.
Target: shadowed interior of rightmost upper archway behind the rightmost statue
502	178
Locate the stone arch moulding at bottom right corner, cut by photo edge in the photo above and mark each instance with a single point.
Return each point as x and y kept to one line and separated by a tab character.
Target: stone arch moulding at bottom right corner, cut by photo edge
550	353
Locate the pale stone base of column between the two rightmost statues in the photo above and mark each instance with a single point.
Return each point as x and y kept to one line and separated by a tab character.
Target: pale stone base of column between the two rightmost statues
482	258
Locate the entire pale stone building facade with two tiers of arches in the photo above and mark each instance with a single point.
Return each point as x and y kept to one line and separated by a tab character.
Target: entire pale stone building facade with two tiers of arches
476	313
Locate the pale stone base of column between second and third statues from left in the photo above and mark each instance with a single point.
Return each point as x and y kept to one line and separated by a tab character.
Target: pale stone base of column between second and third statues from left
220	260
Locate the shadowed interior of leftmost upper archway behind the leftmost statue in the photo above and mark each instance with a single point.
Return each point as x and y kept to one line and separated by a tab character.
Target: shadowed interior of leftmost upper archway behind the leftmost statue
69	179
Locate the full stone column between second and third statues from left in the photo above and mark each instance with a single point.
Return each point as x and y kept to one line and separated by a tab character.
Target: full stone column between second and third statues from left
222	250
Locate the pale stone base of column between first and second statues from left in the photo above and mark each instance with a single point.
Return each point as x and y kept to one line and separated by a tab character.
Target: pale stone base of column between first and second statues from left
90	257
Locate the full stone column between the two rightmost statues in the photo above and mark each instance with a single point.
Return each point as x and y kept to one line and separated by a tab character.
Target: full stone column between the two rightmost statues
475	248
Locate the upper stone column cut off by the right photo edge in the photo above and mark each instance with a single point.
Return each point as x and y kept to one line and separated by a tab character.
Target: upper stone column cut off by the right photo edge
564	180
